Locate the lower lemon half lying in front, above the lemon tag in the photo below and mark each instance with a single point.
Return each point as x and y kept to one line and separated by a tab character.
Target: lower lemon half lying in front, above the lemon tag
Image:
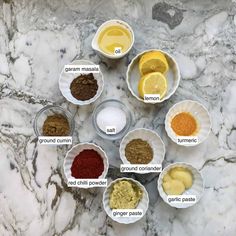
153	83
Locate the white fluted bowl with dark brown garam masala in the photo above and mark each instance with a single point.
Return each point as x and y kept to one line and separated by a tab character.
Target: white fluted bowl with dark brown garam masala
81	88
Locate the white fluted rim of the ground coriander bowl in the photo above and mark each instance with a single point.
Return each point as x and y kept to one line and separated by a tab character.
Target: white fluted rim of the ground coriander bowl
124	159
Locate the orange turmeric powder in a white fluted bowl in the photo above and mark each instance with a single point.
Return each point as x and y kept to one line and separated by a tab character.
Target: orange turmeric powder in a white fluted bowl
184	124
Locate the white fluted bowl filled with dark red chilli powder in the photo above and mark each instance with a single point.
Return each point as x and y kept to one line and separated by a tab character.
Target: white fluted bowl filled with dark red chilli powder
86	161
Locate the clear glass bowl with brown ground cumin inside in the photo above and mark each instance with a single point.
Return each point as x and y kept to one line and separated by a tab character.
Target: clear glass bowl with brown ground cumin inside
54	121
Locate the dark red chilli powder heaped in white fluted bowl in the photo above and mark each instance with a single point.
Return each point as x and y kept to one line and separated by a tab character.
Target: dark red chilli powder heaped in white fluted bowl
88	164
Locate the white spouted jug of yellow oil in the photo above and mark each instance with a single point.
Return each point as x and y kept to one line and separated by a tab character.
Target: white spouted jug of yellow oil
113	39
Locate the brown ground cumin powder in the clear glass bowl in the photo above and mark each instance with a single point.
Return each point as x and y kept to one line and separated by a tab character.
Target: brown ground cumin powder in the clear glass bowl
56	125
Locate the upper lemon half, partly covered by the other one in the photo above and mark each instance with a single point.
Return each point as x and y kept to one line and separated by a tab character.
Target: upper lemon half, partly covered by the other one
153	62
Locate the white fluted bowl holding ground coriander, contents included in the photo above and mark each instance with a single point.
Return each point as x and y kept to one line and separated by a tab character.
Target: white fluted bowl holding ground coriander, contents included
142	147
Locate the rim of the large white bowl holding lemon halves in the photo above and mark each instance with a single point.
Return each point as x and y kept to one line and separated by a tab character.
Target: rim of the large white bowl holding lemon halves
131	64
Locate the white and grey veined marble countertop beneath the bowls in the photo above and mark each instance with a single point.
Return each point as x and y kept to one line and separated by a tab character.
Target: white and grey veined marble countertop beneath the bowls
37	38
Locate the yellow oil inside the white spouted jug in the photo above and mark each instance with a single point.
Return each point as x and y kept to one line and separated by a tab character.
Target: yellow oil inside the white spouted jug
114	37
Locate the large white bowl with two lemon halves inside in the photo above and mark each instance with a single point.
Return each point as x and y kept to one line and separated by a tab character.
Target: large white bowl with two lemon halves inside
153	76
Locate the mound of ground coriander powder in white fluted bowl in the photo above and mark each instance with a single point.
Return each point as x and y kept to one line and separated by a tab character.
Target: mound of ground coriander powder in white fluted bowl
138	151
